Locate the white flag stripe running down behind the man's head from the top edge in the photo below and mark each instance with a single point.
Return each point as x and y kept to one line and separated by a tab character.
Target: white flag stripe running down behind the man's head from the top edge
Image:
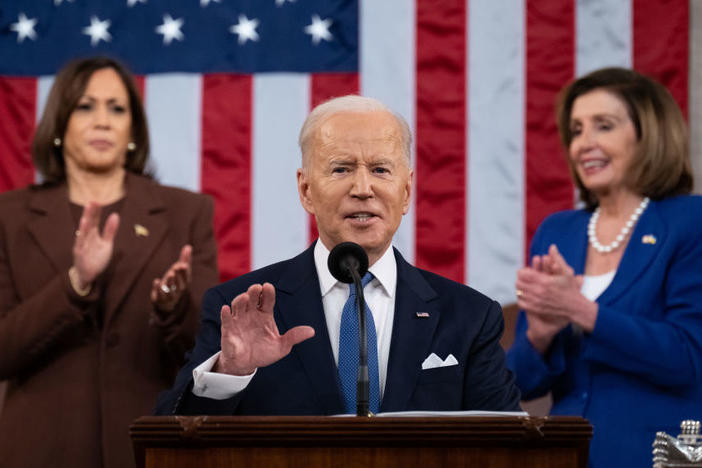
387	67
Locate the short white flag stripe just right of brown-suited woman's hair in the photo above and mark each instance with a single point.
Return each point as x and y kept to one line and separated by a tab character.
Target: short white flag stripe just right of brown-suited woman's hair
174	110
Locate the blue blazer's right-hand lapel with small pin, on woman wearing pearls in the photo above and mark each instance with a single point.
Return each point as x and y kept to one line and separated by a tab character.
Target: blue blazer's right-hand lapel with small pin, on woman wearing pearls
645	243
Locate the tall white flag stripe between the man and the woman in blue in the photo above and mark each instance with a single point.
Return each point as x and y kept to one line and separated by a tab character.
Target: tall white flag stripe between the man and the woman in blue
496	87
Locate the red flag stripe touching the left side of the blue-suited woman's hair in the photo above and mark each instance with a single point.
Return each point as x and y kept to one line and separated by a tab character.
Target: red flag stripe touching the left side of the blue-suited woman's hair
550	65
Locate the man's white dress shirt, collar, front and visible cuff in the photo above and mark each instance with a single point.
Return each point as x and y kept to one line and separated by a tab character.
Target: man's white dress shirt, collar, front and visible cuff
379	295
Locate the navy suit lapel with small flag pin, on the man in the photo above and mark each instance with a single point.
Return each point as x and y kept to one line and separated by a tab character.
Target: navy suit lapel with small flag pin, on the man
411	335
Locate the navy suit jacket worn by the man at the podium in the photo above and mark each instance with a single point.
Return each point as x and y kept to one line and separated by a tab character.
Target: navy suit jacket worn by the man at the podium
461	322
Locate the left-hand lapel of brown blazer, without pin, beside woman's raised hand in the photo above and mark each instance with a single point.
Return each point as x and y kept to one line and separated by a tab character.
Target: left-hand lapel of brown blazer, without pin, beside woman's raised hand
53	229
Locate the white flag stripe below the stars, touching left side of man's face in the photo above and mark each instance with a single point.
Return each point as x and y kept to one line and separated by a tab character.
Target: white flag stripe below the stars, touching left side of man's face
279	223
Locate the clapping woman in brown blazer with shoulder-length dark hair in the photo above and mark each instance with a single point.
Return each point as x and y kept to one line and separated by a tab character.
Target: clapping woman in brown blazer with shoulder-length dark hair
101	275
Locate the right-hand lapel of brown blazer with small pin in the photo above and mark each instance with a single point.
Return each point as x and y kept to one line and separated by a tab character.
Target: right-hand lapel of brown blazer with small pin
142	227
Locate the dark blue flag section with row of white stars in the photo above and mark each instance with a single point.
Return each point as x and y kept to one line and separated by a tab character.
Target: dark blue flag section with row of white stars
154	36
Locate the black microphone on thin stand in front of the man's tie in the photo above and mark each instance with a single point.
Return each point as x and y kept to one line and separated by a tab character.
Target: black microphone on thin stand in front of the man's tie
348	262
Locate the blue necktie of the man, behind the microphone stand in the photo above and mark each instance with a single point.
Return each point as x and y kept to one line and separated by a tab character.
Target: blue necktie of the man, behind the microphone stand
348	352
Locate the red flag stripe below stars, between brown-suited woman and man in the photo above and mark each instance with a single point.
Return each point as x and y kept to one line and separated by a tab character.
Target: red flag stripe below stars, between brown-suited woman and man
226	166
